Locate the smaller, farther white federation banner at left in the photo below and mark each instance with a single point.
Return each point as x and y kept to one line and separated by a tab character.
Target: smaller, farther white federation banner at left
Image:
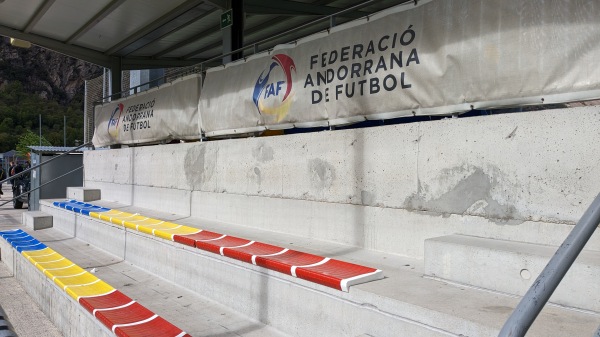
159	114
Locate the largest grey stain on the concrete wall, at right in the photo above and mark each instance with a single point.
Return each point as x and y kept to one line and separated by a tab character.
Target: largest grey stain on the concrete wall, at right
472	195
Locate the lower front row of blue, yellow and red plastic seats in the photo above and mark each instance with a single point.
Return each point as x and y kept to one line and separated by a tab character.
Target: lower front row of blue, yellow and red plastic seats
119	313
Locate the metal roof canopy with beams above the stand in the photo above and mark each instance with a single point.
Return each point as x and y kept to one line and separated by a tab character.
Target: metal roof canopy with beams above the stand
143	34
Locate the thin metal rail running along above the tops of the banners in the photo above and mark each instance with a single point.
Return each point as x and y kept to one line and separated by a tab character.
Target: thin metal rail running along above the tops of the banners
254	47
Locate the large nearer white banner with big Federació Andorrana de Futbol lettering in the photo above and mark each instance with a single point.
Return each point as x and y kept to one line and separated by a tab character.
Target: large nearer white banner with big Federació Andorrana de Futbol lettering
437	57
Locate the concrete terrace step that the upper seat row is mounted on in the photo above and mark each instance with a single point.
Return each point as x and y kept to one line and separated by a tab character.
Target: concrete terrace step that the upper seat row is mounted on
404	303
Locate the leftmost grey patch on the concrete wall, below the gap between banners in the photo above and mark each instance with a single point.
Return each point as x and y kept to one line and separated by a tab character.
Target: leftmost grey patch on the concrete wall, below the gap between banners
199	166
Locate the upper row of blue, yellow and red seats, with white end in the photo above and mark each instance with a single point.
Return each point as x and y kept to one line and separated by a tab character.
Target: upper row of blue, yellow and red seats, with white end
322	270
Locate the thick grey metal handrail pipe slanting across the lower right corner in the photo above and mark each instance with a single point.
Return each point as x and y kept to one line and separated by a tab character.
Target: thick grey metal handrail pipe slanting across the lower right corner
536	297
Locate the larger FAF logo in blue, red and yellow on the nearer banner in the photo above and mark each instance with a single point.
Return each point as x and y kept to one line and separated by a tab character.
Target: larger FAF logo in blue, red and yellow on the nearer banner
273	90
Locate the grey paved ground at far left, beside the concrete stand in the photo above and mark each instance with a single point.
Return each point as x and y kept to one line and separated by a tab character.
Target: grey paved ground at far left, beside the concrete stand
23	313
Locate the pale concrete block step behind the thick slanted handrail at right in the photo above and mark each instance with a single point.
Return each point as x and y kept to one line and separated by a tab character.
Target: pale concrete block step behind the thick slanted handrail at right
511	267
